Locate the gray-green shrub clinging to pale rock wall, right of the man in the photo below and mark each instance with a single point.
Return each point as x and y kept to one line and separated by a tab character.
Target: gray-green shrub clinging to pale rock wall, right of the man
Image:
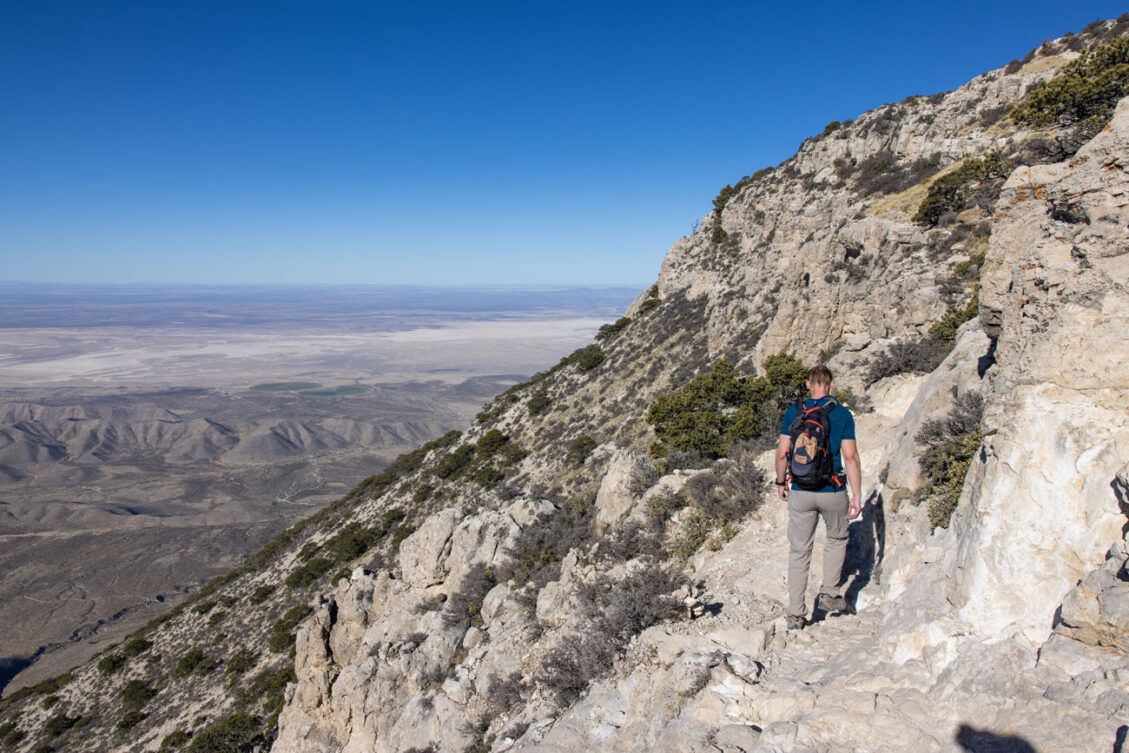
950	445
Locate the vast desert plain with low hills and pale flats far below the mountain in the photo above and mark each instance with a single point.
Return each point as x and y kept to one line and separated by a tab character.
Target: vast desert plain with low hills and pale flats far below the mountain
152	437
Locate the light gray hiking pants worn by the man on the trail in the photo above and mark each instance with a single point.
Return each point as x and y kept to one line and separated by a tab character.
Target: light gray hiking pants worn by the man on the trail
804	511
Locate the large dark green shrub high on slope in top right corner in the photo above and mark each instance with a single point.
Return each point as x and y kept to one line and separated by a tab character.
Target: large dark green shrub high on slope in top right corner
1084	93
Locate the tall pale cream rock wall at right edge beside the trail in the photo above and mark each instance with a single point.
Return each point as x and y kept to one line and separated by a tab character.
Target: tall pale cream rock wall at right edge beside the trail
1044	510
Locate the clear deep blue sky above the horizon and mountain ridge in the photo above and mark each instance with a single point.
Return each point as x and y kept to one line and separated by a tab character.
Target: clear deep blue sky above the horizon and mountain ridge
434	143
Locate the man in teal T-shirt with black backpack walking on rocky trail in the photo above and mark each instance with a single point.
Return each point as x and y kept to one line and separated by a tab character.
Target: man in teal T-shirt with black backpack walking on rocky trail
817	444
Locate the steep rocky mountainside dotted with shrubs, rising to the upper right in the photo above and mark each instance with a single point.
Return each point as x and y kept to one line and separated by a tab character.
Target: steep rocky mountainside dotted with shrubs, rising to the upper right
526	585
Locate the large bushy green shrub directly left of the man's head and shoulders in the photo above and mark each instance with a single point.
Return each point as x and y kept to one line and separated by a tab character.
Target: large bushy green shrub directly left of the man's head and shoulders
720	408
